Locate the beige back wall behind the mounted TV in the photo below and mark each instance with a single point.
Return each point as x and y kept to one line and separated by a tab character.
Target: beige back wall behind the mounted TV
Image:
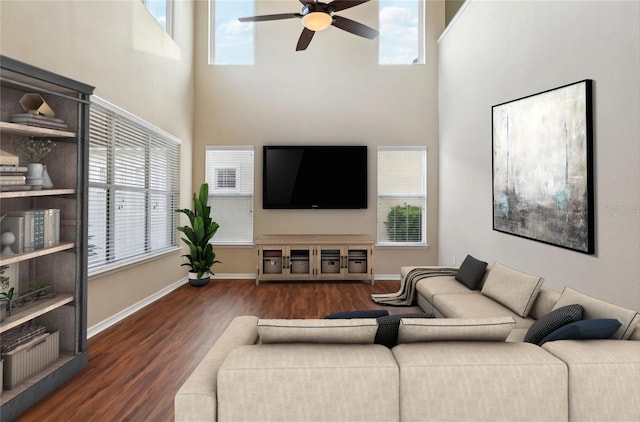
333	93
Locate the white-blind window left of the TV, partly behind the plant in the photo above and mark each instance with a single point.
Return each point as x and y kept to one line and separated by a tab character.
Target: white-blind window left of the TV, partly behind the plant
229	173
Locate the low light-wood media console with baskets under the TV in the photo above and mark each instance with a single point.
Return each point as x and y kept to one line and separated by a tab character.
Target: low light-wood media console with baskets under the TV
314	257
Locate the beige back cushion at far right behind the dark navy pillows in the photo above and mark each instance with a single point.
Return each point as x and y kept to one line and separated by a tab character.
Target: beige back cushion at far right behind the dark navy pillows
596	309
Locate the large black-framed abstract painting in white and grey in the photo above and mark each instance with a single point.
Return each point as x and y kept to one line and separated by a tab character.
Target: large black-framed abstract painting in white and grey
543	167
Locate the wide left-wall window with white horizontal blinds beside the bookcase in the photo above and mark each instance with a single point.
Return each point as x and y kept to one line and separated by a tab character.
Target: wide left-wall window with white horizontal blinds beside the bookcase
133	188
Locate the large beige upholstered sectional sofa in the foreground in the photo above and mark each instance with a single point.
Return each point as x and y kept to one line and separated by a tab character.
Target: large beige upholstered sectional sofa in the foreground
470	364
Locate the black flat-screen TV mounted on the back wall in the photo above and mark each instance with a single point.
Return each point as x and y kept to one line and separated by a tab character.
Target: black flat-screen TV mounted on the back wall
323	177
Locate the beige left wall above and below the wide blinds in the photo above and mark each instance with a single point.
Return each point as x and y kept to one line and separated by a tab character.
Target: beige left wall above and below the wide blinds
119	48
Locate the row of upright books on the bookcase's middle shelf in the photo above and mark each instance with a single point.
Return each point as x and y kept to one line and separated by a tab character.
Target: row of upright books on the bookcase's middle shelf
34	229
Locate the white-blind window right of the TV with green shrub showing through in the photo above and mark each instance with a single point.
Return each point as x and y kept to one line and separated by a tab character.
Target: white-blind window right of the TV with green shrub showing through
402	195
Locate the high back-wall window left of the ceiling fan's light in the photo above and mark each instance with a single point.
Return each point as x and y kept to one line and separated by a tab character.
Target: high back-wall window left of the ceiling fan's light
232	42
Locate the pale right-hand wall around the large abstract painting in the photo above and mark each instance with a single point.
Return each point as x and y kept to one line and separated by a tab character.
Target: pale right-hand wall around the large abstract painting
496	51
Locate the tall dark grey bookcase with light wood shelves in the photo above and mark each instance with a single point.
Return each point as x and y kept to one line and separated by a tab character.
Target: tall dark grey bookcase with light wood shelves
45	217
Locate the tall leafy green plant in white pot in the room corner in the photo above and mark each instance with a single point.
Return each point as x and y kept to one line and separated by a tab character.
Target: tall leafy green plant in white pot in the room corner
201	256
